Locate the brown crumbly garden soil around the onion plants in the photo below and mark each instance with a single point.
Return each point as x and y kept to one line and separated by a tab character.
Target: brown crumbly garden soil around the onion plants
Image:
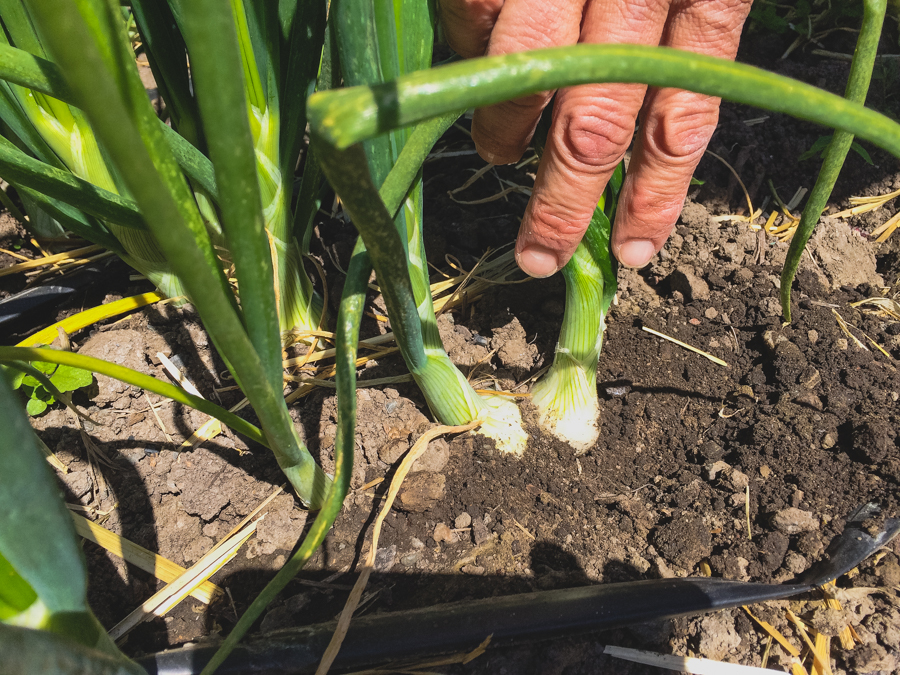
743	471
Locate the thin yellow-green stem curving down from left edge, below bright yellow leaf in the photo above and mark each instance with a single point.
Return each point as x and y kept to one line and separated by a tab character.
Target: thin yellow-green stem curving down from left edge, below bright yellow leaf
10	355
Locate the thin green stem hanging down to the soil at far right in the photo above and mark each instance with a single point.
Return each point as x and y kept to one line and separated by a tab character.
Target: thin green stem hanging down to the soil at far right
836	153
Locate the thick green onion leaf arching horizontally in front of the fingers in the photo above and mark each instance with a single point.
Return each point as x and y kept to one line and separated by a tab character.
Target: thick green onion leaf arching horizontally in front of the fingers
344	117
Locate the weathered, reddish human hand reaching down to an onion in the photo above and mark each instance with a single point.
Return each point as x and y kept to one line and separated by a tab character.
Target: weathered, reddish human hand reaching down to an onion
593	124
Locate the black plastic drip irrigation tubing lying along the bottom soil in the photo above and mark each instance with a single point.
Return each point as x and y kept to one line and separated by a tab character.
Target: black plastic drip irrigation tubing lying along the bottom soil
462	626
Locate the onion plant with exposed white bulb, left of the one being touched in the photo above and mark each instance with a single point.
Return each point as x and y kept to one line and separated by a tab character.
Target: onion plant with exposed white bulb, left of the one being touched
398	39
